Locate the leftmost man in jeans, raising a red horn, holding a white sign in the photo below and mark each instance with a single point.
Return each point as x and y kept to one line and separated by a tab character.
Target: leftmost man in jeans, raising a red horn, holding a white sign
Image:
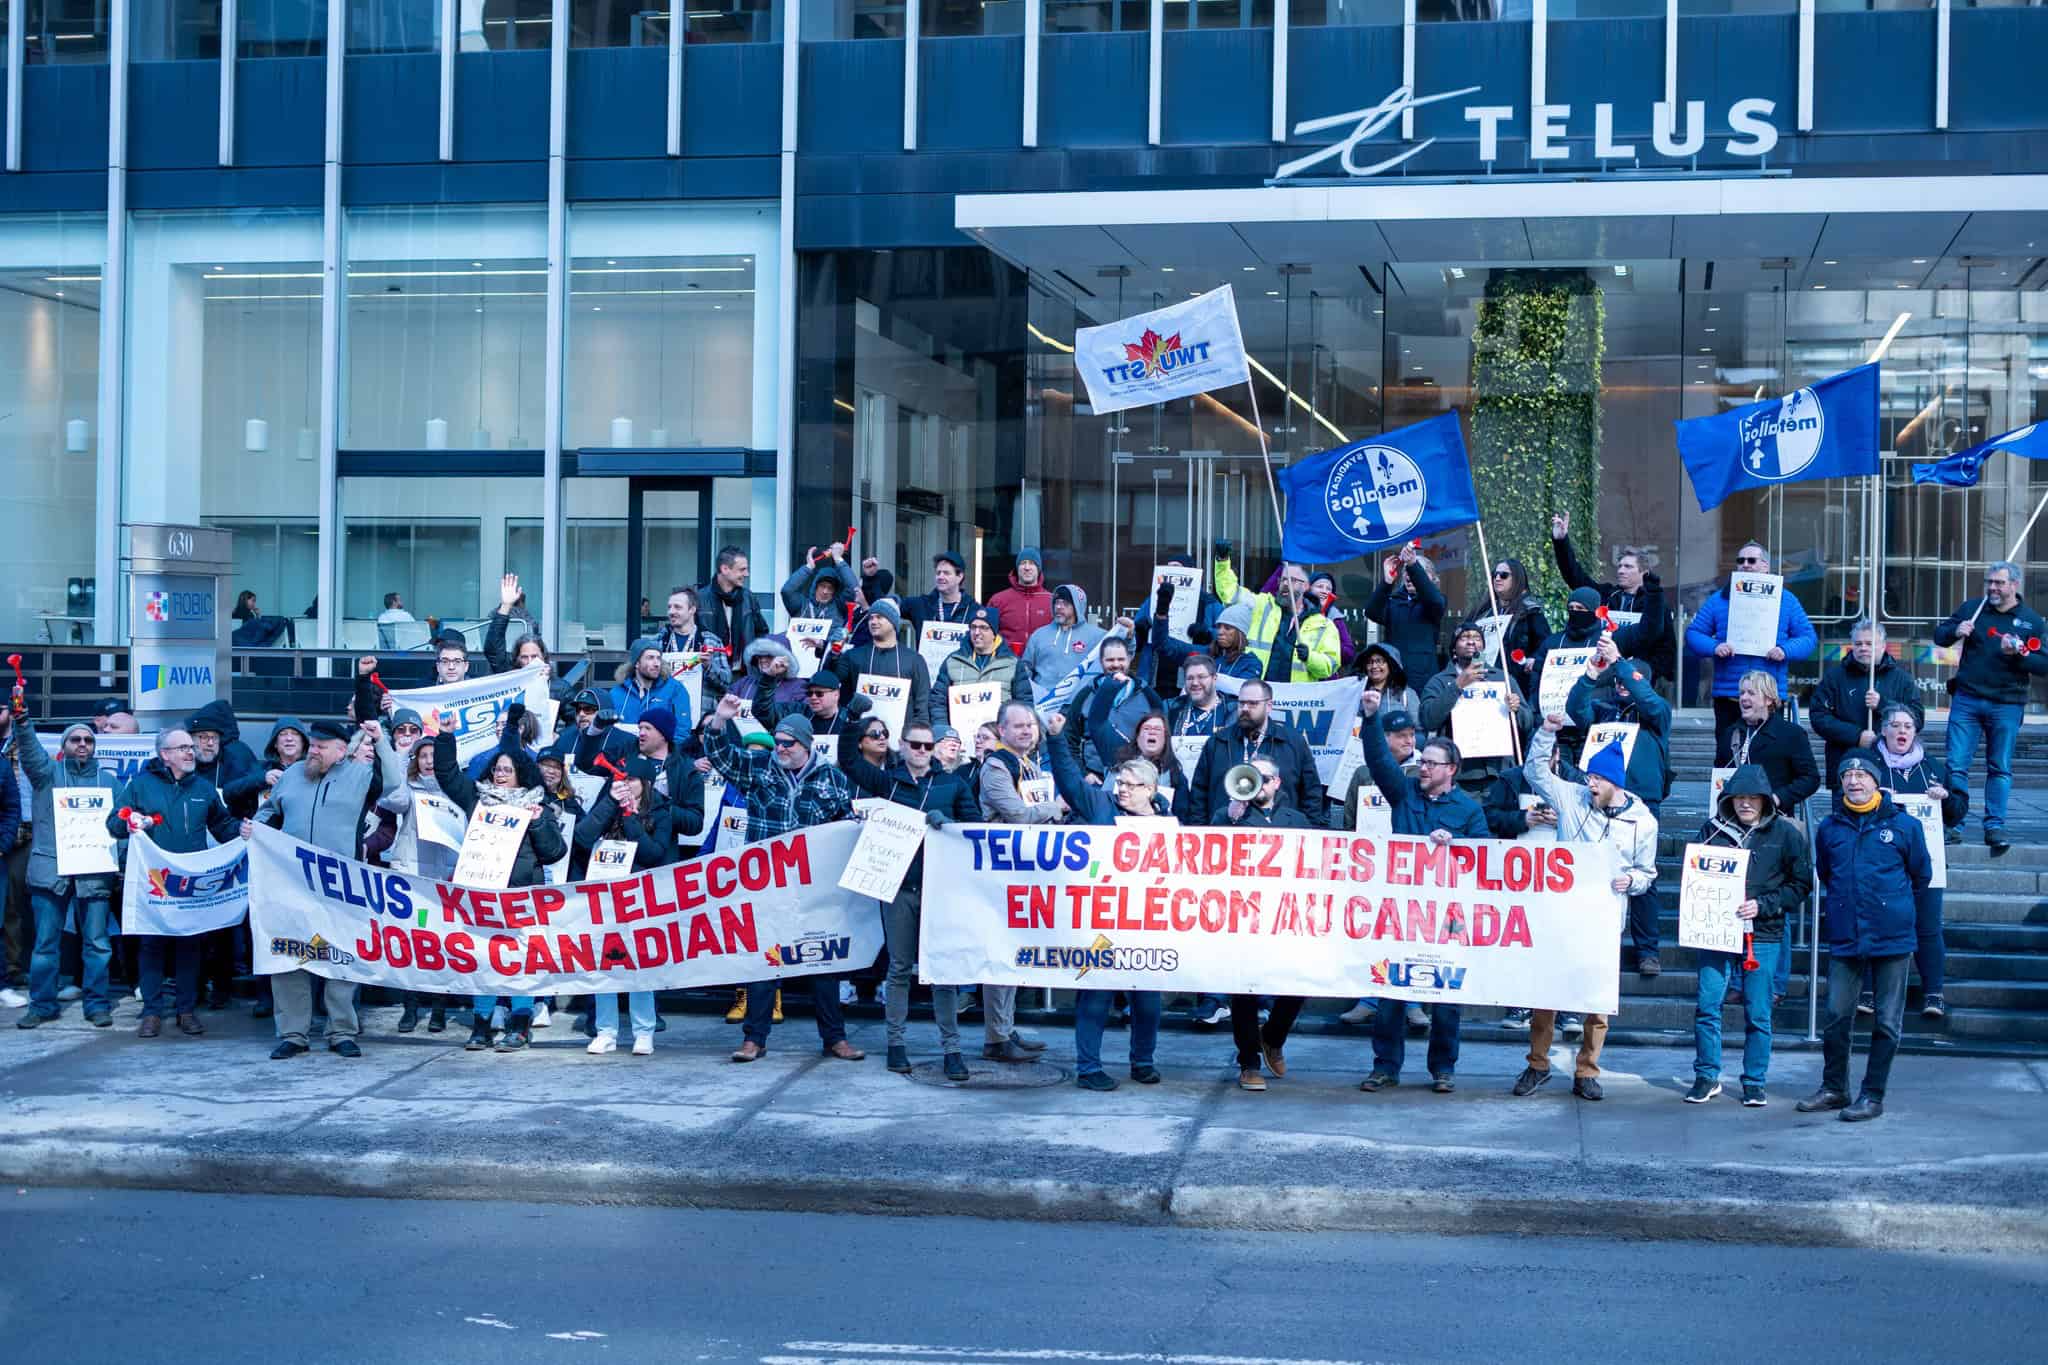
60	897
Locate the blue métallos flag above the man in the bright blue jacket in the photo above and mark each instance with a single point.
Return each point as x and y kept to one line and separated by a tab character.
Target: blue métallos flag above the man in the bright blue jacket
1826	431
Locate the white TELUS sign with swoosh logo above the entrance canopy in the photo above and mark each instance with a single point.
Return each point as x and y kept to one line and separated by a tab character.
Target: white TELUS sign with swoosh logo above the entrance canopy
1549	126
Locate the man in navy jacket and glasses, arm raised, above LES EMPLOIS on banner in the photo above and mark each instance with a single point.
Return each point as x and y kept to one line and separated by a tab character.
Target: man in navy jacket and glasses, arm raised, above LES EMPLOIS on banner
1426	805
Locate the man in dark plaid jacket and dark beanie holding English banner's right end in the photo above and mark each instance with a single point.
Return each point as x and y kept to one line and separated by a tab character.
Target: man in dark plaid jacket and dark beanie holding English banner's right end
787	789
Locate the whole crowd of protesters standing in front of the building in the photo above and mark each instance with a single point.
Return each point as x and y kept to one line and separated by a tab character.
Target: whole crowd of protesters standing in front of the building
1097	721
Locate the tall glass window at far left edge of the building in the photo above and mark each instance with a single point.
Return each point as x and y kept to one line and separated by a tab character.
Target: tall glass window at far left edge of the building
50	386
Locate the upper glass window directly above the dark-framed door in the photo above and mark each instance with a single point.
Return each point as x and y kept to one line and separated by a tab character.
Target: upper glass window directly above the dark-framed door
663	349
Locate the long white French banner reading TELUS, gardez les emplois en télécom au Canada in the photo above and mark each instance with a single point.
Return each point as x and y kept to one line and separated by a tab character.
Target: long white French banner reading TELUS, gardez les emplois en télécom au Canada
1275	912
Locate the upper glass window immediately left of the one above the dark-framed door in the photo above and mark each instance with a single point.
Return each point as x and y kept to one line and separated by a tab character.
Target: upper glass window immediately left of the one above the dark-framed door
445	331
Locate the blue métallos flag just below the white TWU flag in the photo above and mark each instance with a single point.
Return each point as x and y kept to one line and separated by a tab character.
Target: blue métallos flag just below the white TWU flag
1379	492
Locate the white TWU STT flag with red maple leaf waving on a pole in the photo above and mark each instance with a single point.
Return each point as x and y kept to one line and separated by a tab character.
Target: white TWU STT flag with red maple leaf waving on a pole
1164	355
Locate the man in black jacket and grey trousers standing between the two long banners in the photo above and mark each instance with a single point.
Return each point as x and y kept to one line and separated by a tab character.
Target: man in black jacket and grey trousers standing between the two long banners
919	783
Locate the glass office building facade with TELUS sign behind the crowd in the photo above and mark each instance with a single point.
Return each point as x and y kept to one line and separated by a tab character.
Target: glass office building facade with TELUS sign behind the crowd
415	294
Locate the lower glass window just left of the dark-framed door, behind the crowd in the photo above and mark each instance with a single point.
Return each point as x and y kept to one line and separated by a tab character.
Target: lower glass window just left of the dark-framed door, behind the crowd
437	543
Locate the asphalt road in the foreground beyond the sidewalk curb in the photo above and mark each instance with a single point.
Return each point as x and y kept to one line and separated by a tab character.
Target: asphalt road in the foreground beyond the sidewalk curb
251	1278
